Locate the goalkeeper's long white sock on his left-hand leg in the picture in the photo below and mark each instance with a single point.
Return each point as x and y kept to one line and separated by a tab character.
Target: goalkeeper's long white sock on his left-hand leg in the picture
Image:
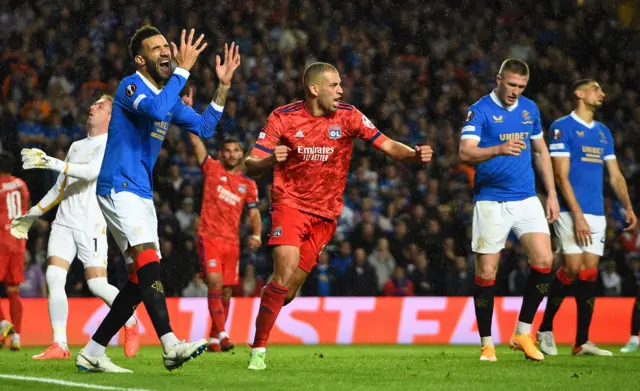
58	304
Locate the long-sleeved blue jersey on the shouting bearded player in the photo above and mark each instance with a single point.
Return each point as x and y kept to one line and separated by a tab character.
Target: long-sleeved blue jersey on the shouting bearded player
140	119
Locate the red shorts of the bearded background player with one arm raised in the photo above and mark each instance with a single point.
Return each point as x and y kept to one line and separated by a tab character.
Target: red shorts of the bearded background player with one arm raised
217	256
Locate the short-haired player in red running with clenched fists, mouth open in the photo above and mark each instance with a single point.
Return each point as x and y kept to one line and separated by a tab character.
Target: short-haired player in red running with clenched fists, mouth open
310	143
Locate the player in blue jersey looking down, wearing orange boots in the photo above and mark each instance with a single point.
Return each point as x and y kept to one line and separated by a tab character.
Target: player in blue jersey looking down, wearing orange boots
499	134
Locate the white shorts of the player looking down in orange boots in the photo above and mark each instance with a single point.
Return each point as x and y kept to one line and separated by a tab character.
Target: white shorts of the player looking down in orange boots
493	220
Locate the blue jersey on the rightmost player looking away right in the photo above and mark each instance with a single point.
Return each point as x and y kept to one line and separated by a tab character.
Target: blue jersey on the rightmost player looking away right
587	146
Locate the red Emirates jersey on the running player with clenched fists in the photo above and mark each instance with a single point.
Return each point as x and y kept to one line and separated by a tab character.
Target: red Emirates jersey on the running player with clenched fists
313	177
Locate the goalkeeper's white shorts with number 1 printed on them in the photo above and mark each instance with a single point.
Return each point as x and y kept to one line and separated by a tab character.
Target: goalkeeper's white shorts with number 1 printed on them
90	247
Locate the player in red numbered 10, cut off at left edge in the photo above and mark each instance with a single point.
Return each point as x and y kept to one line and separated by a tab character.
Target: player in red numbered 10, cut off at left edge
14	200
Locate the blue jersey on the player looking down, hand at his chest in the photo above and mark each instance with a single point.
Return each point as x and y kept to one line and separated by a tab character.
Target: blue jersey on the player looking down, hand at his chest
503	178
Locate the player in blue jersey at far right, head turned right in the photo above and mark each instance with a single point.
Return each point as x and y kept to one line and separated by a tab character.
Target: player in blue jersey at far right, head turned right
580	148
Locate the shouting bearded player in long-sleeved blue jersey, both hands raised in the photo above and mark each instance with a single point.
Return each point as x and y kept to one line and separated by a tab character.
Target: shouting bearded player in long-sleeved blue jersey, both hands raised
145	104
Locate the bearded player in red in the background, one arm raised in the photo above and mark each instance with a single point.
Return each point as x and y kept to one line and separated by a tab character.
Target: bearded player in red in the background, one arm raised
227	191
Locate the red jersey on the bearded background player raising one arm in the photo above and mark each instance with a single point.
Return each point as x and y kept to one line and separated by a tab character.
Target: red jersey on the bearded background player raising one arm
224	198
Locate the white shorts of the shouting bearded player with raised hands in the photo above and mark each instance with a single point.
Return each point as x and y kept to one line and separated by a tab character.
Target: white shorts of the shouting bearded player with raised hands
131	220
